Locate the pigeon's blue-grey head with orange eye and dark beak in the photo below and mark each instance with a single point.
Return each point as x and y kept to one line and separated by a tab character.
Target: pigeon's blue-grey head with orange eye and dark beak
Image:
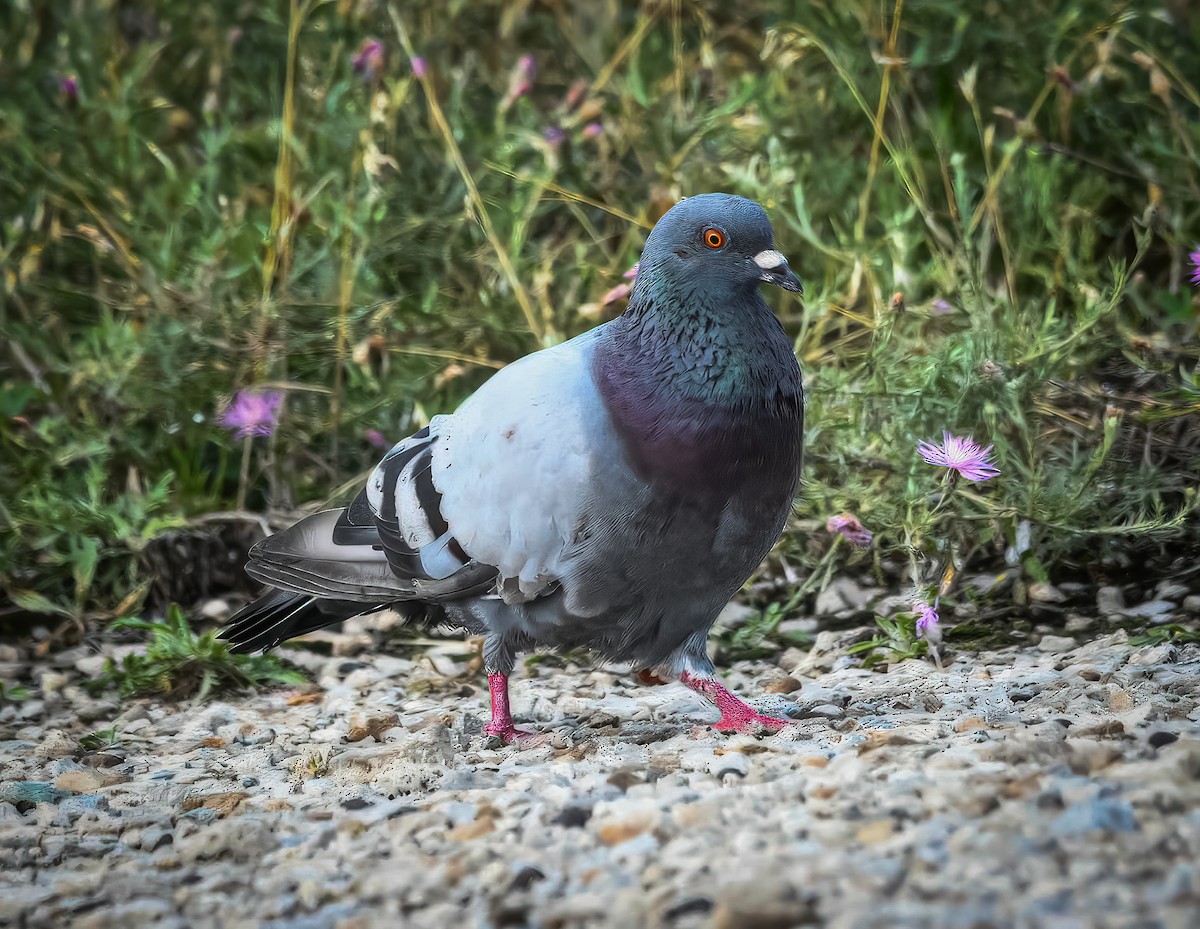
715	243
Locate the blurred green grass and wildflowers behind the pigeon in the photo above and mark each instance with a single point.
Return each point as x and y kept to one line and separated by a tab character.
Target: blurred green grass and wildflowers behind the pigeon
992	206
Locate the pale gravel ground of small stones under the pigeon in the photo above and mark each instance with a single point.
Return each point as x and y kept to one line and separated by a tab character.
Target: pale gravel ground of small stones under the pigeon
1053	786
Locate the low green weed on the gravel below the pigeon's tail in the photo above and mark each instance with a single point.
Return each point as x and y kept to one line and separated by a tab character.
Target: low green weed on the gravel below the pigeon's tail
181	664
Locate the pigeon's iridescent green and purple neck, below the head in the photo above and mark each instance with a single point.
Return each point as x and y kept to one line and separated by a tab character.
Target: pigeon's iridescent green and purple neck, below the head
705	397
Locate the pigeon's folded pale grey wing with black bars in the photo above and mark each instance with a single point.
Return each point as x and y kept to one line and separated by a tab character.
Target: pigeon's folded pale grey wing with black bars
503	487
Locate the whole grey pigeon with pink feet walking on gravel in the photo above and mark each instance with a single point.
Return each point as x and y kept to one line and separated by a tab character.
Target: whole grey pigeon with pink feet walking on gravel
610	493
